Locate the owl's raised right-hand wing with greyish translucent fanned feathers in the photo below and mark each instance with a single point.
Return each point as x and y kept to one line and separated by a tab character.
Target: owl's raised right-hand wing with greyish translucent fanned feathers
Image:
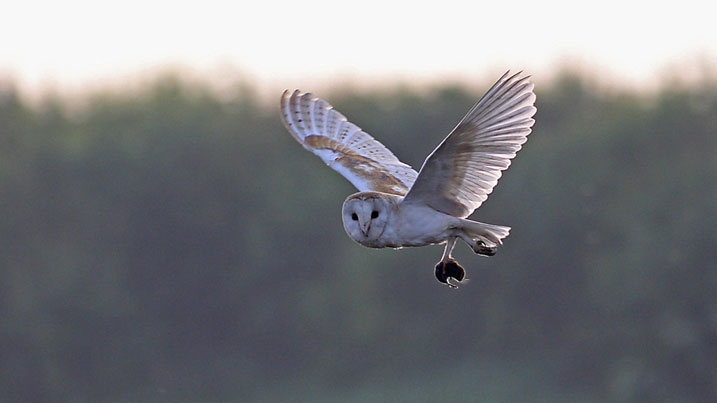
460	173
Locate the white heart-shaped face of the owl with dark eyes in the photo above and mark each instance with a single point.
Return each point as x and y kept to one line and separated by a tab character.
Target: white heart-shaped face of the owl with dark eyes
365	216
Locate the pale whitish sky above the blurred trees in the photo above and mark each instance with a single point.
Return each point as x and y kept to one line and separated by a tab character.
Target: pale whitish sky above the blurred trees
73	44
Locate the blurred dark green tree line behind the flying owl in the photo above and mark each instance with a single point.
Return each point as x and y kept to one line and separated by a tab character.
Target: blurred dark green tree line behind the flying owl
173	244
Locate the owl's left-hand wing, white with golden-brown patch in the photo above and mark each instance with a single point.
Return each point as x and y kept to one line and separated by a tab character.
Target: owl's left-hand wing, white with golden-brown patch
343	146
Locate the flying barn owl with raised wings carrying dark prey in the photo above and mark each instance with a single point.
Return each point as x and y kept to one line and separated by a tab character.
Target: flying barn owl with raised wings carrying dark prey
398	207
